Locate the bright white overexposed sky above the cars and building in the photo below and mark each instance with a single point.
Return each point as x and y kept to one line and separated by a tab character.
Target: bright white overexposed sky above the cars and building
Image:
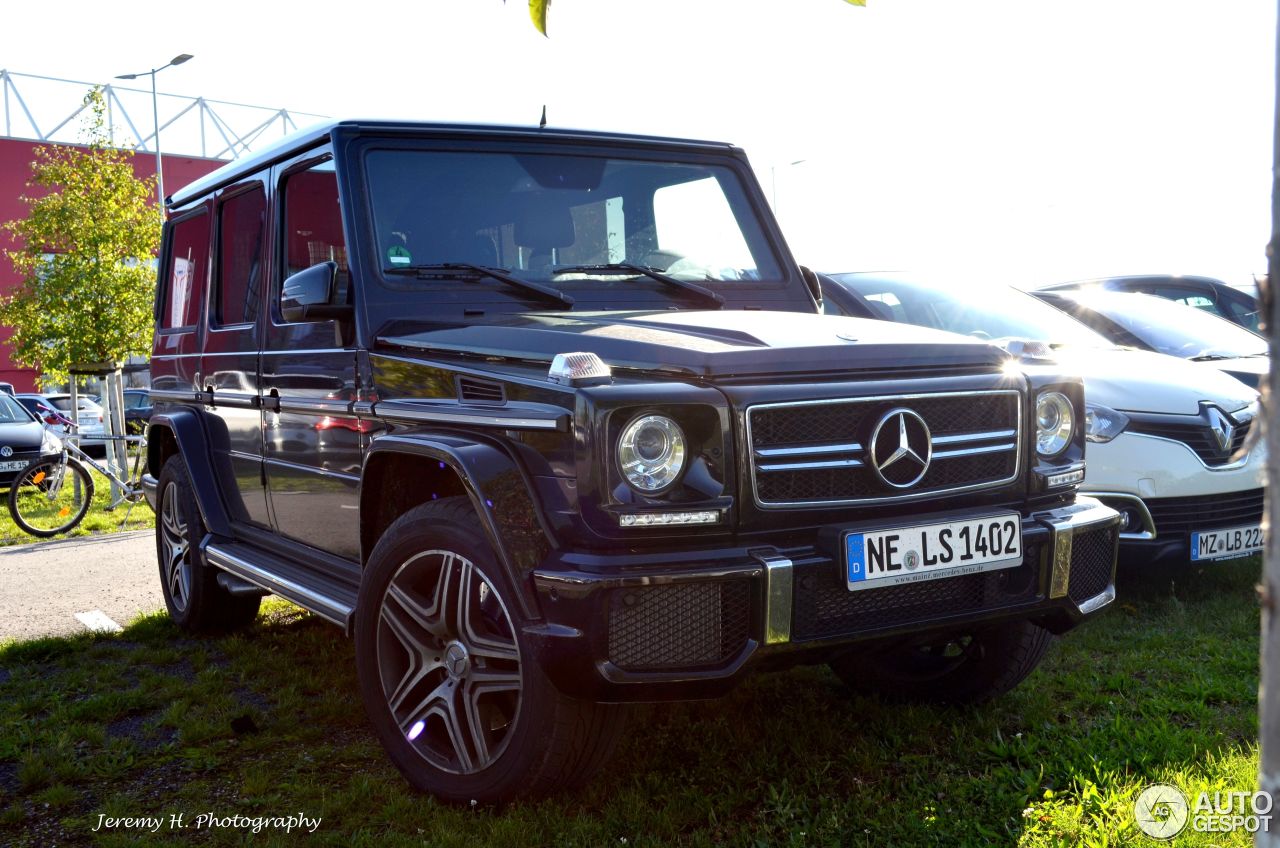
1023	140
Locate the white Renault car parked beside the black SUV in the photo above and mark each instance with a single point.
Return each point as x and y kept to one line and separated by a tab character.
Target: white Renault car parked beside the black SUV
1169	441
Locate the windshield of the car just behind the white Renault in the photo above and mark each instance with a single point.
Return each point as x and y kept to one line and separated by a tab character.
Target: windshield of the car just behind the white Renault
1176	330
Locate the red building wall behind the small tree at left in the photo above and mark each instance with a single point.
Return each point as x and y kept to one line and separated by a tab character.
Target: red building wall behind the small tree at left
16	158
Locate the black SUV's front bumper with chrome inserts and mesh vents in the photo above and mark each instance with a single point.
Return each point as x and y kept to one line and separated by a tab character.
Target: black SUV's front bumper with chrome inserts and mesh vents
676	626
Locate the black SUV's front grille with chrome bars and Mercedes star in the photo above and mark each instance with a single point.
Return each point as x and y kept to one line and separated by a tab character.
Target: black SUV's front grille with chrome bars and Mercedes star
821	453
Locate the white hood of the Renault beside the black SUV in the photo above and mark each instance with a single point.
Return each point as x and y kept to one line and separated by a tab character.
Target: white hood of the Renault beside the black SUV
1144	382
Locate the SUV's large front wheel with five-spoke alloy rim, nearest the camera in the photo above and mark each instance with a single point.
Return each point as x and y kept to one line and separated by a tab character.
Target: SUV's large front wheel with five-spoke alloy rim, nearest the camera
449	678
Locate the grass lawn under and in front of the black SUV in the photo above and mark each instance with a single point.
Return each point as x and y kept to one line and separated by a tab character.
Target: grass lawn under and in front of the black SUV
268	723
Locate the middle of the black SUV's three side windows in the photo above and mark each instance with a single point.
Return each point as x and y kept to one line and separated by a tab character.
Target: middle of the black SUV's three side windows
240	257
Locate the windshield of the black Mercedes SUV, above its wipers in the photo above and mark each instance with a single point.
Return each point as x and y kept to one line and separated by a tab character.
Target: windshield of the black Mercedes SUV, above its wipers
534	216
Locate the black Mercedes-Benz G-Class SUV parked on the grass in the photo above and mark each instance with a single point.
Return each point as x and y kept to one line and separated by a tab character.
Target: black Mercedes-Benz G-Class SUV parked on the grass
550	422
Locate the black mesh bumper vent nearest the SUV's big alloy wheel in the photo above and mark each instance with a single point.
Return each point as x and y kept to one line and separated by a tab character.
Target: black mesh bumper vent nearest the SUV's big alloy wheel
679	627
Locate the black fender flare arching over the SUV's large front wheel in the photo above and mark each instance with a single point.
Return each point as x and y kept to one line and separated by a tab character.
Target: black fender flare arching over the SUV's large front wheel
501	494
